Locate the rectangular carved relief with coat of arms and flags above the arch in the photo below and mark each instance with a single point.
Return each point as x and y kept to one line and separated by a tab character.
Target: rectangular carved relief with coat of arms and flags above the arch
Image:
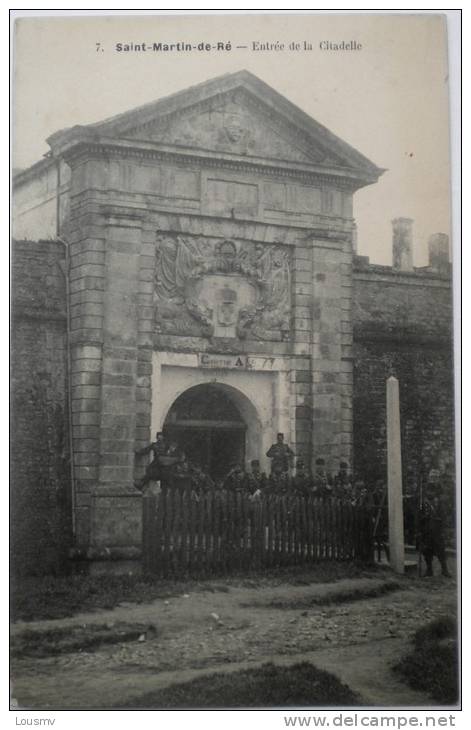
221	288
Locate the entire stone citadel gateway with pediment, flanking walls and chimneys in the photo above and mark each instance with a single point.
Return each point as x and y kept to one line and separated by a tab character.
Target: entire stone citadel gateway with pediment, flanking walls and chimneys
198	255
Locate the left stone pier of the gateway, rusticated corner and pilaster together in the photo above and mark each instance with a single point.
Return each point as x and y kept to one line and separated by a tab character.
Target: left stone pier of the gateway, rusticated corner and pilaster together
108	382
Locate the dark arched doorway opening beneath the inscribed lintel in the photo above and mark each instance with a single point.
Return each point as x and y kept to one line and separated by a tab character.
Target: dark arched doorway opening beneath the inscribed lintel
215	425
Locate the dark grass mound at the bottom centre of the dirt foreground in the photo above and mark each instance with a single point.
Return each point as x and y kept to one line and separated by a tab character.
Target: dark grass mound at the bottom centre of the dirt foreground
298	685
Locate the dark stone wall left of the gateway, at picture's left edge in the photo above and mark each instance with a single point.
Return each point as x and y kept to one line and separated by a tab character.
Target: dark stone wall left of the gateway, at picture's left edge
40	476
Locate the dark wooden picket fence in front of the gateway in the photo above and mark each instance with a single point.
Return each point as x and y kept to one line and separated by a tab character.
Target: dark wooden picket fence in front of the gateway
220	532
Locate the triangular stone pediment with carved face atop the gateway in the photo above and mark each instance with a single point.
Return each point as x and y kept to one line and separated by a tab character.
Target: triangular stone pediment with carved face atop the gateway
233	114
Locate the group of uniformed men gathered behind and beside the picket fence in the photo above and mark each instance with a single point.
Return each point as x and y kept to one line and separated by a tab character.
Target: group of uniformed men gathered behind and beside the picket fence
430	514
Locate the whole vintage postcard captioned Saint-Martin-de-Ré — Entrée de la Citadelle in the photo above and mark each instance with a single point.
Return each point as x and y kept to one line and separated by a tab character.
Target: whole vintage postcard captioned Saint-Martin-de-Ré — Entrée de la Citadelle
233	441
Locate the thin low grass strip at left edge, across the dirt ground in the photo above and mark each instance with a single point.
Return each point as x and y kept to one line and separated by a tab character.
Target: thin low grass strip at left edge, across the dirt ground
52	642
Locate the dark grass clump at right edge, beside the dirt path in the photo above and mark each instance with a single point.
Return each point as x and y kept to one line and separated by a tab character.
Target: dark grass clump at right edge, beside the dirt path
432	666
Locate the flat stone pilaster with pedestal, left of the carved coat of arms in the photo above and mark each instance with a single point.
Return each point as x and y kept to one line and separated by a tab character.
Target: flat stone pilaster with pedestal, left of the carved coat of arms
116	511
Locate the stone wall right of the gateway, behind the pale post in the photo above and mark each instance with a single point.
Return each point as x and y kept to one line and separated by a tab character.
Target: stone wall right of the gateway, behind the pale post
402	326
